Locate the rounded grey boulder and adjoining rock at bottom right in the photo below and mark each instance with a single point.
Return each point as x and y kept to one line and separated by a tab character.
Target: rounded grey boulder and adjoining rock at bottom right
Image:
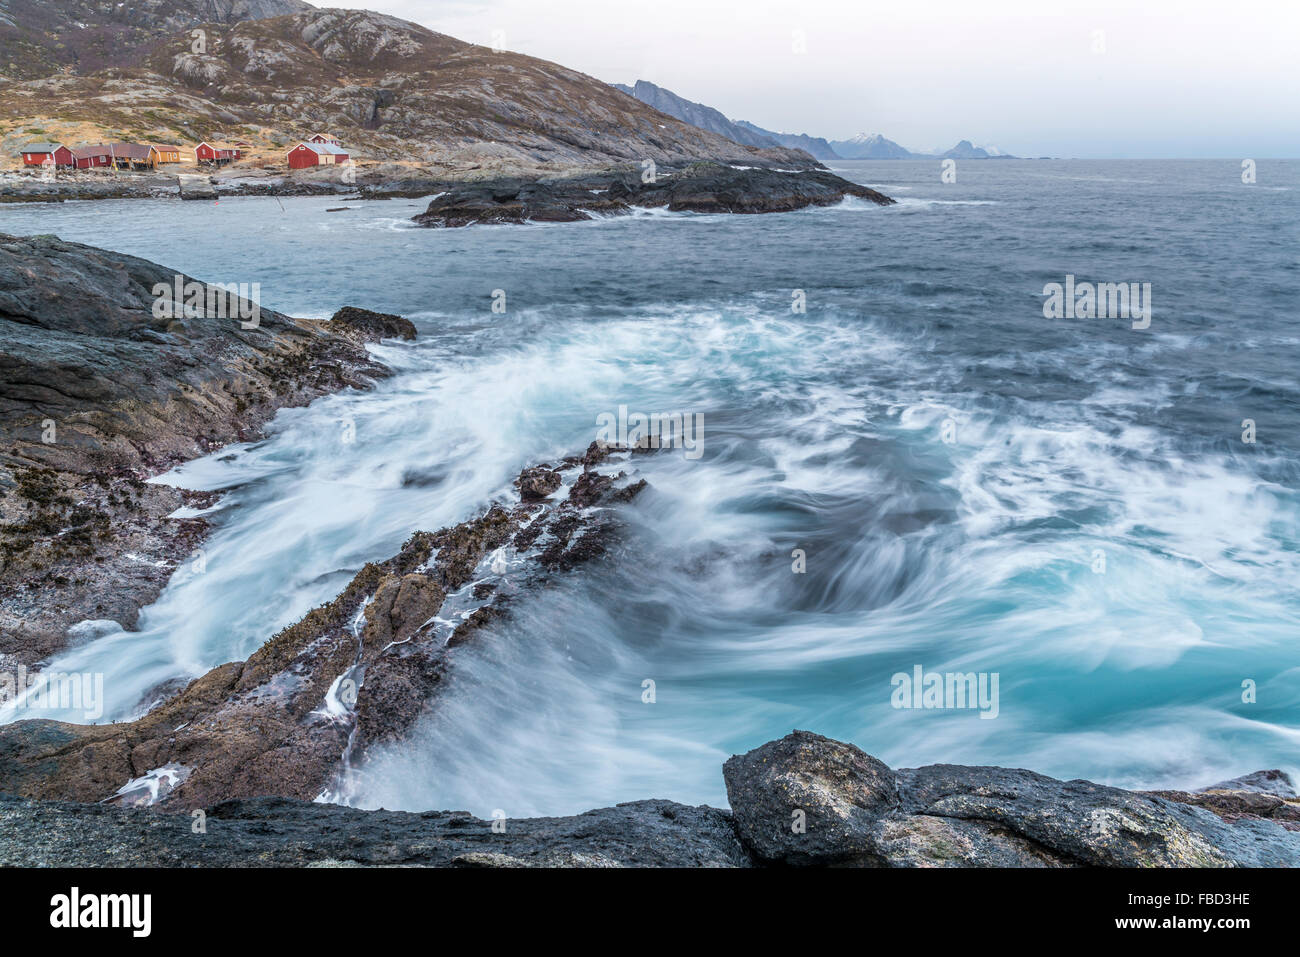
859	812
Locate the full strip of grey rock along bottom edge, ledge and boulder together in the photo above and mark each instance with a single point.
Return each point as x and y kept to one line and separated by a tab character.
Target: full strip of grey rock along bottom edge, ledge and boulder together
803	802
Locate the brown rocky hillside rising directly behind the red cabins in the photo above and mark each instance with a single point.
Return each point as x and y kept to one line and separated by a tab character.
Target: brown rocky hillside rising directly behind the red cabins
387	88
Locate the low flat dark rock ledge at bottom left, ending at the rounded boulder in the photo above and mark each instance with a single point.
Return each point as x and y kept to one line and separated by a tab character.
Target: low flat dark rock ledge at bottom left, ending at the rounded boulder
279	833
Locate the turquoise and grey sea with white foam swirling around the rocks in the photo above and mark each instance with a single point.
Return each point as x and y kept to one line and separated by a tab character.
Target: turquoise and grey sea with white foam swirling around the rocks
1068	504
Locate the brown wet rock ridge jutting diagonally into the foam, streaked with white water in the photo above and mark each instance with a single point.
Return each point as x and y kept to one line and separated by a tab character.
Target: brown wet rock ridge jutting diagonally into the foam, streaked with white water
300	714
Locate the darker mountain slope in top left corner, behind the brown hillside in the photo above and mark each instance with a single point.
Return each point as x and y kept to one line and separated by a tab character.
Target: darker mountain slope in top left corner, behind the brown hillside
44	37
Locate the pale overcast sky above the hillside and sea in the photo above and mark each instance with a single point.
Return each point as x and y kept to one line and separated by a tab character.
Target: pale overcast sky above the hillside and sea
1033	77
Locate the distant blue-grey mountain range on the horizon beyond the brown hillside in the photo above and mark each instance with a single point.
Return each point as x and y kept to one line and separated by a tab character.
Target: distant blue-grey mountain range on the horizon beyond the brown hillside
861	148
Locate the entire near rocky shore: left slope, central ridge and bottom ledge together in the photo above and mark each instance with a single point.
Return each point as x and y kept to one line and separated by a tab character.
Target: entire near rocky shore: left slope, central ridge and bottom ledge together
98	392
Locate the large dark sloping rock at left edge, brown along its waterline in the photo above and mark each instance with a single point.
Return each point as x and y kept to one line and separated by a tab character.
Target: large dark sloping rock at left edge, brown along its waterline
99	393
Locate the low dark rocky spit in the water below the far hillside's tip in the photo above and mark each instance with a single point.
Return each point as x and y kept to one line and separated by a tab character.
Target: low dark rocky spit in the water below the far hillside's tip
704	188
